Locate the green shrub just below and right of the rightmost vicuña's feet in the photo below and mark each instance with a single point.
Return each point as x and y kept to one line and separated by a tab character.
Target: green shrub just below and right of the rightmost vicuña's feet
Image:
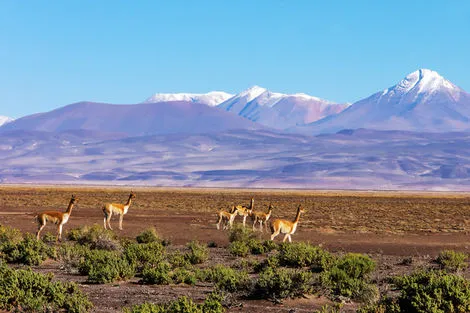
302	254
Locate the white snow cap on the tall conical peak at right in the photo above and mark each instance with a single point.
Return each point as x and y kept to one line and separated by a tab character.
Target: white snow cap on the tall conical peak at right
422	81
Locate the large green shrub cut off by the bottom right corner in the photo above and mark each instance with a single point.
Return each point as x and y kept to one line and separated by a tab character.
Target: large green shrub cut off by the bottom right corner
434	292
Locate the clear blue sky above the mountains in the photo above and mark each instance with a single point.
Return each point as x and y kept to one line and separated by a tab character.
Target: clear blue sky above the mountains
53	53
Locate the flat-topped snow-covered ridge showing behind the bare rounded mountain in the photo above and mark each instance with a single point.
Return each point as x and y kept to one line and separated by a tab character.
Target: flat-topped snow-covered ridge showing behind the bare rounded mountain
212	98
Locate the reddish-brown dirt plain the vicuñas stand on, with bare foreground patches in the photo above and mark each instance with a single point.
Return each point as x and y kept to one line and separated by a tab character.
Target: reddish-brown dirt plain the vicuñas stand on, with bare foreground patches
388	226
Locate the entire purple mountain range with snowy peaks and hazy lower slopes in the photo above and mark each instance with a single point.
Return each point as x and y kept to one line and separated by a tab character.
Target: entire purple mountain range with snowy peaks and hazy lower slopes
413	135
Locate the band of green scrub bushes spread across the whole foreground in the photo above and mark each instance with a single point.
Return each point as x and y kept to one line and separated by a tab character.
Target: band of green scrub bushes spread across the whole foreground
252	269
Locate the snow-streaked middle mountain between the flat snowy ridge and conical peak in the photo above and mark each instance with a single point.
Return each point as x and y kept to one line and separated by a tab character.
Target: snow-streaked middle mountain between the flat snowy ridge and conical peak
279	110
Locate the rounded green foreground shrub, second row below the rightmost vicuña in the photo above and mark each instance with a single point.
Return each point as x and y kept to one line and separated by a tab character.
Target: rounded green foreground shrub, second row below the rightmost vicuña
283	283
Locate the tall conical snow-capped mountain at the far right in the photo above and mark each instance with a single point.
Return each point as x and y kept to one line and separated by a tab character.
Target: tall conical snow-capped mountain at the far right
422	101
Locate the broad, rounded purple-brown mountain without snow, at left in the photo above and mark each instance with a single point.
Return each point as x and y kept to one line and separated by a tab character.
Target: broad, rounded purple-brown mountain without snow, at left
133	119
